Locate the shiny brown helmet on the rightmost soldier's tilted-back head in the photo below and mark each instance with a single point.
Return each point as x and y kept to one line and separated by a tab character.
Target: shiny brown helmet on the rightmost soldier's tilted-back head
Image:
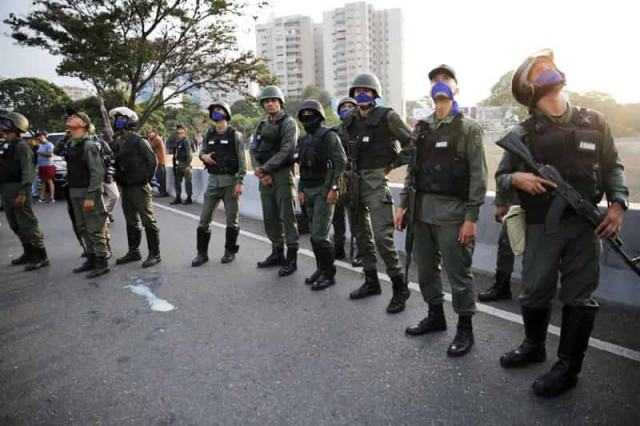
526	92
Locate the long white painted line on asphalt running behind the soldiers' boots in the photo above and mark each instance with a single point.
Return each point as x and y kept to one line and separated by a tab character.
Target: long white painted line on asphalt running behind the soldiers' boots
506	315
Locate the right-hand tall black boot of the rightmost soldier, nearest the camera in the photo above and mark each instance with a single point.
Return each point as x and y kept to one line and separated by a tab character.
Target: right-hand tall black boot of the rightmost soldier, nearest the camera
577	324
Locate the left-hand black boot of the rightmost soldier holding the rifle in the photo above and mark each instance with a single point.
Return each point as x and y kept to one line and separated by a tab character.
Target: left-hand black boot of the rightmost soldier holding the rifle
532	349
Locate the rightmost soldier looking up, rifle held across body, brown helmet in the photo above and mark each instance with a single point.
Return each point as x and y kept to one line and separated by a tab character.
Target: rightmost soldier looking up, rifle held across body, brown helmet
579	143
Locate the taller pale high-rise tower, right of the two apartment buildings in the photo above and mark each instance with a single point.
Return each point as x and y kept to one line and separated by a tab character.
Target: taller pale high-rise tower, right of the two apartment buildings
356	39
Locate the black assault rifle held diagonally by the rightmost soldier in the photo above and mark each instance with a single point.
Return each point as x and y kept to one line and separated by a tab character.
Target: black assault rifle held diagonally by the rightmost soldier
566	195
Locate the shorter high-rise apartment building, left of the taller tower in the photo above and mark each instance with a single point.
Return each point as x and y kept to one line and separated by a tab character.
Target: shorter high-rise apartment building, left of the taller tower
288	43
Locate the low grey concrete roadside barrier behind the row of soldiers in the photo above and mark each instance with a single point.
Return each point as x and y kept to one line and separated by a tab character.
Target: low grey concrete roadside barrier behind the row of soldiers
618	284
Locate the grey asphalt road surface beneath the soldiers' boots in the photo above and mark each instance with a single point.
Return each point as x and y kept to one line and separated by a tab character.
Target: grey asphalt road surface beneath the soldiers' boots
247	347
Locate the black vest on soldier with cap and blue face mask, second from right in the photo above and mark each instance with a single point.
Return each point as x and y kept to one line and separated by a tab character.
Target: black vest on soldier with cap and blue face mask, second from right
439	167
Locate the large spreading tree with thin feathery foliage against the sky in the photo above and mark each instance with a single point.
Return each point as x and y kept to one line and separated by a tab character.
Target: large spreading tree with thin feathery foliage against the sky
142	44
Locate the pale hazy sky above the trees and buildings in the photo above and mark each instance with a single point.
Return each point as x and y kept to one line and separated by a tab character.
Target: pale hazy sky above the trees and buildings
595	42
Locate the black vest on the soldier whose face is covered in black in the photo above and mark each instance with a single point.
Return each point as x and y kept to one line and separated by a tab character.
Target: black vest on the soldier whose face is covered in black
313	156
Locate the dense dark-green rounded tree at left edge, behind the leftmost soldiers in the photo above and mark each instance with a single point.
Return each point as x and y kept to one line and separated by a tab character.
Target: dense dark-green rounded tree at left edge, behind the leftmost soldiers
43	103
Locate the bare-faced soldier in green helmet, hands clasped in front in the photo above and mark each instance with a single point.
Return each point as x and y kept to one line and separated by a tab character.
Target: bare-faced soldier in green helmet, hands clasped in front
272	151
